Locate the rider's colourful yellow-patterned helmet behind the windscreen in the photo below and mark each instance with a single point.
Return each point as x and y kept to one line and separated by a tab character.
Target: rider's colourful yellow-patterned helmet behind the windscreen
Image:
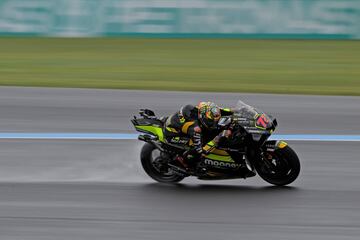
209	114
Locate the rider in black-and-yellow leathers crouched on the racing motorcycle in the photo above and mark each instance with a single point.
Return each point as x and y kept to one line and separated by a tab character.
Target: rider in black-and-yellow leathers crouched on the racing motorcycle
200	124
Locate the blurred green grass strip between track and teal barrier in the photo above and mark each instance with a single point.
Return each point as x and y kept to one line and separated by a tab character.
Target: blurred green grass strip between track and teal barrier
268	66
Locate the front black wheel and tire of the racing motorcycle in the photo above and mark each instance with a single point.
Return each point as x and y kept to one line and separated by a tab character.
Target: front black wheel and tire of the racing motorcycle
280	167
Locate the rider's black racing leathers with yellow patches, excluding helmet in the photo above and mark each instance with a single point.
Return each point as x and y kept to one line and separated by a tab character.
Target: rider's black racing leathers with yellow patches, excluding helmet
185	124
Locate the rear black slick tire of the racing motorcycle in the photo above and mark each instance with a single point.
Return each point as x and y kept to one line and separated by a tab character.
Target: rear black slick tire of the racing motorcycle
155	166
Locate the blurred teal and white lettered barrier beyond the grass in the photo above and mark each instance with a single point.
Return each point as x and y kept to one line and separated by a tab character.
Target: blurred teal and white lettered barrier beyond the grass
182	18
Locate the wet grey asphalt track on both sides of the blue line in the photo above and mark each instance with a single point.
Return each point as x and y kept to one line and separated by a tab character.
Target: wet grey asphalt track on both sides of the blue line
96	189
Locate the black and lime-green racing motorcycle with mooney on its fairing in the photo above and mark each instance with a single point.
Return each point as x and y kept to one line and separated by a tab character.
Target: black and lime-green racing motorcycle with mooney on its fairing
246	153
